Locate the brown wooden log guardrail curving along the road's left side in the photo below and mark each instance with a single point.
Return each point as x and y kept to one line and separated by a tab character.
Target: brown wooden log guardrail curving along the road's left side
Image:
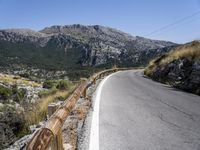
51	135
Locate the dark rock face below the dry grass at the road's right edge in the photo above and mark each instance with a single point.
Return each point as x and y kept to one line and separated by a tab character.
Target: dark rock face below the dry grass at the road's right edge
183	74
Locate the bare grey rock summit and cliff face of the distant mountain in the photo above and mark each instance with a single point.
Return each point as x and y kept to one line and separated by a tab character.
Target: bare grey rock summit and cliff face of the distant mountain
106	44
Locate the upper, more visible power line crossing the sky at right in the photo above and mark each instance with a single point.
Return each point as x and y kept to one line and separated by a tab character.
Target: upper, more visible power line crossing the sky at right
174	23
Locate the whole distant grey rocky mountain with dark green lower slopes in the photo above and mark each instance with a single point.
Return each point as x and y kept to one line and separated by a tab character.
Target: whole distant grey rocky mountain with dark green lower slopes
75	47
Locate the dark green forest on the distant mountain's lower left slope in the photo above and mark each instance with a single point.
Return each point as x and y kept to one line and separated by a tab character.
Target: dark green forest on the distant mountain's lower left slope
48	57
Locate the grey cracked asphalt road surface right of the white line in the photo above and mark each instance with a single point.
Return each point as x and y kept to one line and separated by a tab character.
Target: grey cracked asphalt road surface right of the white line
136	113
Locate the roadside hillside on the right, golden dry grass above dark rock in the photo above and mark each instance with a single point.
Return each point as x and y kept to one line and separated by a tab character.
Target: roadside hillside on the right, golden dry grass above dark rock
179	68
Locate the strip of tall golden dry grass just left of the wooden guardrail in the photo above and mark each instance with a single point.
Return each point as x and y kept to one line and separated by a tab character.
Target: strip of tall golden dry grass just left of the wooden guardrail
39	111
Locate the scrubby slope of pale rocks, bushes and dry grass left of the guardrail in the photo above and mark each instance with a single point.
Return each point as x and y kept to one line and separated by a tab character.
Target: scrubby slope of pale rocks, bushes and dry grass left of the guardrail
18	112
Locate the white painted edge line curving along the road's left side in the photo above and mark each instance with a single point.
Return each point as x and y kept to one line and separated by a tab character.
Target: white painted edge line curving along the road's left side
94	132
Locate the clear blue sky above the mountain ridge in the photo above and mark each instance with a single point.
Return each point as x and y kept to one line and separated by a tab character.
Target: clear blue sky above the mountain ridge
172	20
